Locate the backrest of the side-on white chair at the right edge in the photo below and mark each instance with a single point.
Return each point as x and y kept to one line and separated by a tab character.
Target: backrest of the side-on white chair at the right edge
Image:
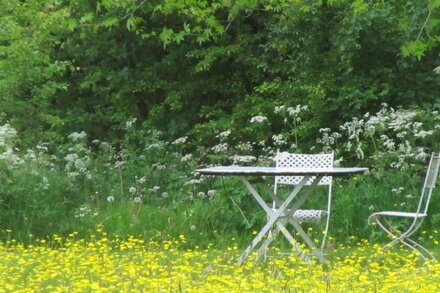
429	184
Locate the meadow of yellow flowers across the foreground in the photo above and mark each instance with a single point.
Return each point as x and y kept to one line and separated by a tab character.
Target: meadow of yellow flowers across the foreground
101	264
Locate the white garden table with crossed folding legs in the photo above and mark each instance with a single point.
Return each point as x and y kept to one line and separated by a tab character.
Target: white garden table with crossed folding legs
288	206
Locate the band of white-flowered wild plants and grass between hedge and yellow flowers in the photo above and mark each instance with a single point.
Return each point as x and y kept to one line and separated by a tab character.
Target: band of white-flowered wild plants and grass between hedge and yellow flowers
146	183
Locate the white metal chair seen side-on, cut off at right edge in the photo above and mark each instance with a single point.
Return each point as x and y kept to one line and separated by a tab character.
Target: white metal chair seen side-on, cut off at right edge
415	218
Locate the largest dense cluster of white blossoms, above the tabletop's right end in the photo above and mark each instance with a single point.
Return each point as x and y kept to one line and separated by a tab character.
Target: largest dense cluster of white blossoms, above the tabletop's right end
388	134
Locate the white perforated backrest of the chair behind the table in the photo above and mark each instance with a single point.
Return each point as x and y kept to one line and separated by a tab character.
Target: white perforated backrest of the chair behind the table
289	160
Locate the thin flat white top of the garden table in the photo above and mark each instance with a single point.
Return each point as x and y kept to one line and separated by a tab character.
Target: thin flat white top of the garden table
277	171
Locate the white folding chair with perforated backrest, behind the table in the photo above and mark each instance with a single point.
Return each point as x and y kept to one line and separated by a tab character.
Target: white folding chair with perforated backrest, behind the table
290	160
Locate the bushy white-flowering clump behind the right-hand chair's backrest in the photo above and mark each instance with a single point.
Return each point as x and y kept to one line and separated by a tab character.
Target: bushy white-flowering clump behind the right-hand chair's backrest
389	139
